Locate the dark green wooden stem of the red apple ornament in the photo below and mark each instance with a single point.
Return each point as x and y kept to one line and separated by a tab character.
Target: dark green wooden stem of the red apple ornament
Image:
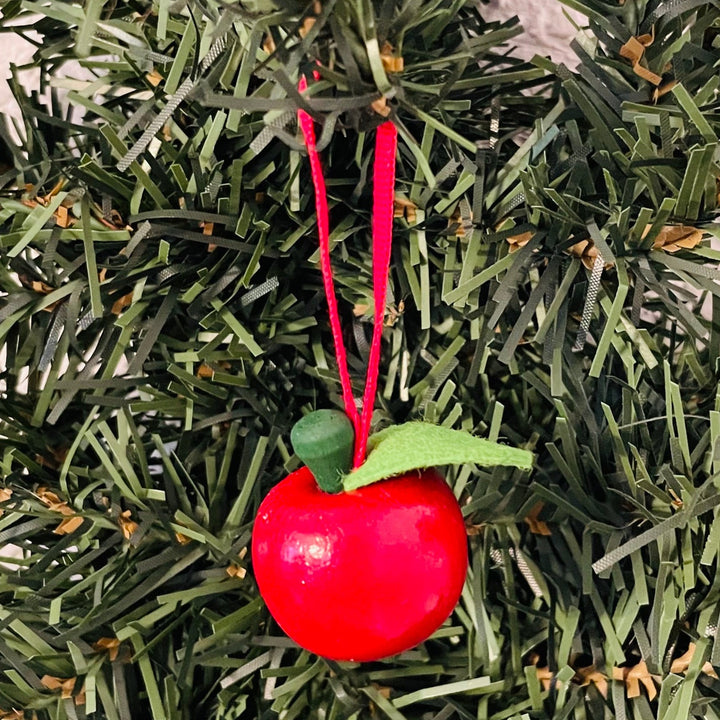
324	441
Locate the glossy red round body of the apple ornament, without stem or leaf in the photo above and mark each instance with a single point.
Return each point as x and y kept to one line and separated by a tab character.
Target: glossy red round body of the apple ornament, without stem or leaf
360	575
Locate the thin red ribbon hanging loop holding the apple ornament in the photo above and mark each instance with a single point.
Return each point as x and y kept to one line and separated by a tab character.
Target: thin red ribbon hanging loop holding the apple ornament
383	213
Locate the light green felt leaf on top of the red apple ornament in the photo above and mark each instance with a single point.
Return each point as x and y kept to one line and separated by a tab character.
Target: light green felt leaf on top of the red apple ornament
415	445
